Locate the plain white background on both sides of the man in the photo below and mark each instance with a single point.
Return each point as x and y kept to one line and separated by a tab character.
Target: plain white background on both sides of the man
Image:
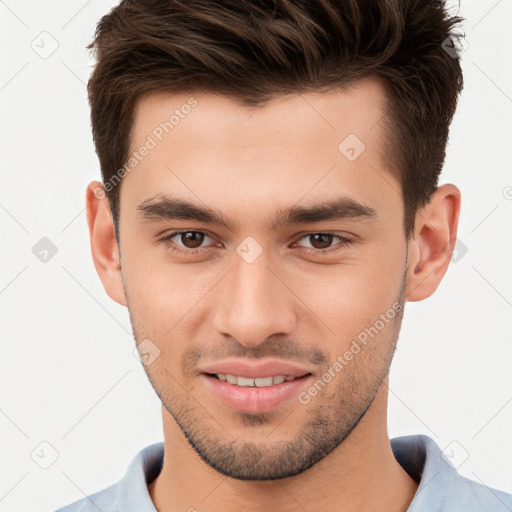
69	376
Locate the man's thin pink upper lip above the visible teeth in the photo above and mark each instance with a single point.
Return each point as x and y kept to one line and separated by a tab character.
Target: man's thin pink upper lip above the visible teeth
268	368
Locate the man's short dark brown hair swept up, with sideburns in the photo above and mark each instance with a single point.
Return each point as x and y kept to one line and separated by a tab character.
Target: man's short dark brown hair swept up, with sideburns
255	50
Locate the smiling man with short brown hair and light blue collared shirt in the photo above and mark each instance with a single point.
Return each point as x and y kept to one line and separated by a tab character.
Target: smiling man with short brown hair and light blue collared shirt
269	203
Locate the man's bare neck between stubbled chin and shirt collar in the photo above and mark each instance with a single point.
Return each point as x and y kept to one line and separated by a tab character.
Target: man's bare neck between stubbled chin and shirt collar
360	474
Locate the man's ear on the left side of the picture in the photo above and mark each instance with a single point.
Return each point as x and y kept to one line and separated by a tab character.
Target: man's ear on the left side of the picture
105	251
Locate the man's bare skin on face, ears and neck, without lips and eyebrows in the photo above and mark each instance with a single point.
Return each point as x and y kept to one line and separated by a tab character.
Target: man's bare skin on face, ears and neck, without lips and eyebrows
287	305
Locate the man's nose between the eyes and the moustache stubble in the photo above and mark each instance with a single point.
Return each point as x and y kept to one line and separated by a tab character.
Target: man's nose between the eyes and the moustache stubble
254	303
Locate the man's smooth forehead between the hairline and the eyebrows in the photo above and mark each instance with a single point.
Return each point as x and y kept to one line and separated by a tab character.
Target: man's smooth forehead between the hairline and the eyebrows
210	148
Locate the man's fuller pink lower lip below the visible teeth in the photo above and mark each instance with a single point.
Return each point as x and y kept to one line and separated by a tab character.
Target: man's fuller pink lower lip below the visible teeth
253	399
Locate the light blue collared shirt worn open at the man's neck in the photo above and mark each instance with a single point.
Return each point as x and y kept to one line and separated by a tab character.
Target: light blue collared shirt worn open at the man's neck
441	489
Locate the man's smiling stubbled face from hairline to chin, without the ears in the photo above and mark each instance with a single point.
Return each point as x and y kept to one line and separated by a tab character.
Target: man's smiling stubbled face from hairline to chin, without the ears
300	291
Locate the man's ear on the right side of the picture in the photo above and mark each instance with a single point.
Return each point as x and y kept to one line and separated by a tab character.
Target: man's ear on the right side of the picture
431	248
